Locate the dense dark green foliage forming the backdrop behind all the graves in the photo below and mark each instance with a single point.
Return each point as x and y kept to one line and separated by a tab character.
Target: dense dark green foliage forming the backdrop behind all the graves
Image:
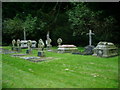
70	21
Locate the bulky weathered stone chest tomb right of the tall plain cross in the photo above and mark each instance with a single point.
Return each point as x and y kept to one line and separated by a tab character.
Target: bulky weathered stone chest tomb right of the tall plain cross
105	49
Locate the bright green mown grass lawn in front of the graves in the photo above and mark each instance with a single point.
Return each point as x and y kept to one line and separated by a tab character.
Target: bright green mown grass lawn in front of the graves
64	71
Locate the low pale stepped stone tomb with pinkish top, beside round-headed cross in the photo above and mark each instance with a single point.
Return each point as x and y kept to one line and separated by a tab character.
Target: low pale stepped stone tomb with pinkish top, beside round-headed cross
67	49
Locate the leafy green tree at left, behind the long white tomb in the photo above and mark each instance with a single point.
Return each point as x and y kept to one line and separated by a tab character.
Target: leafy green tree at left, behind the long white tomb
14	27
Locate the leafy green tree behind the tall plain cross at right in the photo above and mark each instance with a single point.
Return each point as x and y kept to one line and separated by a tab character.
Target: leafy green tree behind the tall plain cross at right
83	19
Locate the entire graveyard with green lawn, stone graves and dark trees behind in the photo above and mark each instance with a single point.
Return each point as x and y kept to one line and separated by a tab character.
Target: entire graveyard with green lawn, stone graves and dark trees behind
74	50
